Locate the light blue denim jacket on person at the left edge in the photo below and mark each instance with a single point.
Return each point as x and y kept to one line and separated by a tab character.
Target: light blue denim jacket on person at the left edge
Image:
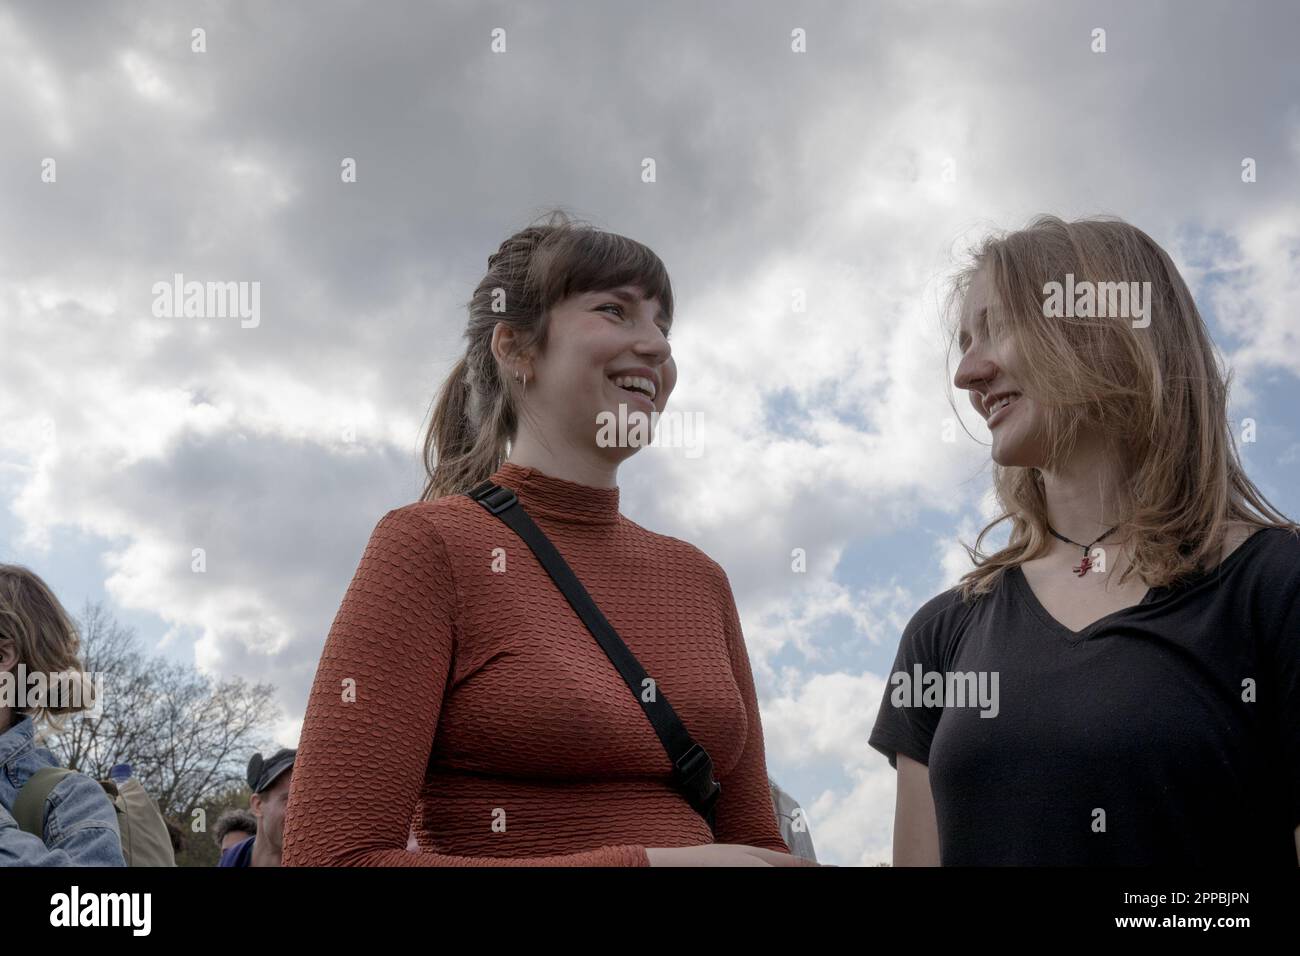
81	823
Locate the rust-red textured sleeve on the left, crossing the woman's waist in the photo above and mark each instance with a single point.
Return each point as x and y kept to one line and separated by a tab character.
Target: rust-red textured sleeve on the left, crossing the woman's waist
362	763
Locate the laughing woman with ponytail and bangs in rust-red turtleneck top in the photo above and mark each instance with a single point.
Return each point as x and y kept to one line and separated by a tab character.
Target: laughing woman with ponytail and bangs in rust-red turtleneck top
458	693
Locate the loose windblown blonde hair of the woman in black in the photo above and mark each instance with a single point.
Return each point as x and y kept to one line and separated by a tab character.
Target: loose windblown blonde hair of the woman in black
1156	393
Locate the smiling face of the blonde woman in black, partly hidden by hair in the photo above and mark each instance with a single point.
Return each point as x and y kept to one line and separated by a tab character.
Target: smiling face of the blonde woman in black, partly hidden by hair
989	374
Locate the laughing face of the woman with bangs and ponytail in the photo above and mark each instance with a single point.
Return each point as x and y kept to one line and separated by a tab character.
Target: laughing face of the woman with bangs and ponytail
593	341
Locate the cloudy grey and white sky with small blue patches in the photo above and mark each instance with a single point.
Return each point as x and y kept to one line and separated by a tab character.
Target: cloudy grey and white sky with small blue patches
856	171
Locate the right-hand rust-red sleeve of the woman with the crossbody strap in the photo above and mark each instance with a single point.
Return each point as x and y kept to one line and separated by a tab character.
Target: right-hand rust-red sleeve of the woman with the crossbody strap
744	814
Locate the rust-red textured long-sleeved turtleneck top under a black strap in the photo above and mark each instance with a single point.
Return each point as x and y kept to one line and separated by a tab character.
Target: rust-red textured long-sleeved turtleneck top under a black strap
486	710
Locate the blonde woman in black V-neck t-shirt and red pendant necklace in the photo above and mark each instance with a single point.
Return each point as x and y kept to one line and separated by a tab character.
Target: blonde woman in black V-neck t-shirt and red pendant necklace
1142	622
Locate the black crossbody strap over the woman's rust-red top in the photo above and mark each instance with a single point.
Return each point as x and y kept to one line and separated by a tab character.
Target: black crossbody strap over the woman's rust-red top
692	765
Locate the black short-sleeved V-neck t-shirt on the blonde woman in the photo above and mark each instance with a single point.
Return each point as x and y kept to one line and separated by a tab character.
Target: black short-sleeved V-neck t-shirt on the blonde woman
1128	743
